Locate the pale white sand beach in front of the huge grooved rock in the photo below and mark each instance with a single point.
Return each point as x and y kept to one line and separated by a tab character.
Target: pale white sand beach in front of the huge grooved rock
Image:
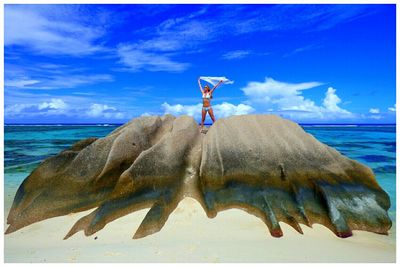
190	236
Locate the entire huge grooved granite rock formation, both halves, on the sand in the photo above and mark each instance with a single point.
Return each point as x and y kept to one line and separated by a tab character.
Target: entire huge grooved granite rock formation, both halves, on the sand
262	164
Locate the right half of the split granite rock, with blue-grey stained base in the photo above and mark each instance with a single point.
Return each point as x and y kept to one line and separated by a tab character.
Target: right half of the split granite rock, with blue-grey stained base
273	169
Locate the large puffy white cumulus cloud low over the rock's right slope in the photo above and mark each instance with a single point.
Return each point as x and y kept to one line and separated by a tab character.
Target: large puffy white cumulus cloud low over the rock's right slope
286	98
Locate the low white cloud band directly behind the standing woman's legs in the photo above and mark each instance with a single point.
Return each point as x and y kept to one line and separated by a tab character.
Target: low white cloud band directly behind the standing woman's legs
220	110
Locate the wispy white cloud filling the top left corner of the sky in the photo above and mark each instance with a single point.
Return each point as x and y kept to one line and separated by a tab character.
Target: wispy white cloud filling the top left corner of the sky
48	30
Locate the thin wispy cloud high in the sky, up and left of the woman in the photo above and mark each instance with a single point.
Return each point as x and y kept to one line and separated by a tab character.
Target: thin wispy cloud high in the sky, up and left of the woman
158	52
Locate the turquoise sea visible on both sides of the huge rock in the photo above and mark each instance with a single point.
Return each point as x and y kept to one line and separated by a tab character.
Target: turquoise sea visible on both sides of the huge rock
25	146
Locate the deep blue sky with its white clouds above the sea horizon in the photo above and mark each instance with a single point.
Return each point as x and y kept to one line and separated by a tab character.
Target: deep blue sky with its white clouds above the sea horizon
112	63
